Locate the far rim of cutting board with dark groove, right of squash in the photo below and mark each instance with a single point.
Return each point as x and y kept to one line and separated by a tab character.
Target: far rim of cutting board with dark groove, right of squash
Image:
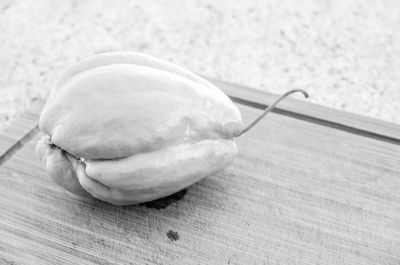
338	119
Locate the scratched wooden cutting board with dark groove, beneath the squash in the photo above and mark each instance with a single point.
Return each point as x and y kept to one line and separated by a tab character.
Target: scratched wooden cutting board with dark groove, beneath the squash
310	185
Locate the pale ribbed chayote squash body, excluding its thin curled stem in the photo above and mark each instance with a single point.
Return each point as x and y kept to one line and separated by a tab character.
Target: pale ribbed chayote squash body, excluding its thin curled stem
128	128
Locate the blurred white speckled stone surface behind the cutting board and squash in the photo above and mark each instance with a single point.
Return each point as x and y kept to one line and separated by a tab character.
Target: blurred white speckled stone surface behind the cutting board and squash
345	53
